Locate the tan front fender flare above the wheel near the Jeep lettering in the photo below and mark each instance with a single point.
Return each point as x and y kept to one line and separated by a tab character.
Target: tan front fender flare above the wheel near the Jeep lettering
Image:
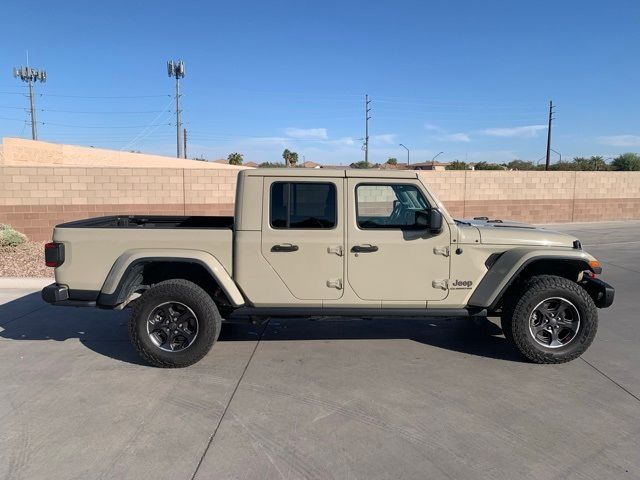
507	267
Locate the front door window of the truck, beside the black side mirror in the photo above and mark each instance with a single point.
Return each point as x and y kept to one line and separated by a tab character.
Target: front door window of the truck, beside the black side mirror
388	206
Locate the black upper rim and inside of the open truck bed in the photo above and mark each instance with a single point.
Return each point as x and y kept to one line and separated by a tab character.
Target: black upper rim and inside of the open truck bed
152	221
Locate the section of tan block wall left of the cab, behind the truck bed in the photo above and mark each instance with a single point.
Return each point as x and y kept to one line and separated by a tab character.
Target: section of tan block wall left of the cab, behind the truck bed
35	199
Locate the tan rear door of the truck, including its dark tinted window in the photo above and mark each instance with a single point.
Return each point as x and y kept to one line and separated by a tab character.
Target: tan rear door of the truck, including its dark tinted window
303	234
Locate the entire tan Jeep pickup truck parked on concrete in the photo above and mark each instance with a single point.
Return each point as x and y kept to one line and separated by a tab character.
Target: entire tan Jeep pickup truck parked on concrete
327	243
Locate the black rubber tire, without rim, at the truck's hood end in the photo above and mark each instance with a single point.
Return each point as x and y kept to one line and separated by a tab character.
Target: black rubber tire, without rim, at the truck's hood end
536	290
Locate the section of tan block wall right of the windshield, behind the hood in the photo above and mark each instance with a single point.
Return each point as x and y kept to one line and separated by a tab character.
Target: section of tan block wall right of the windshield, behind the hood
539	197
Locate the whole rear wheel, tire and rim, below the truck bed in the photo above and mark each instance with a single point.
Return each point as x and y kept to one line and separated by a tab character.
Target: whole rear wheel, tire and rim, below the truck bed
174	324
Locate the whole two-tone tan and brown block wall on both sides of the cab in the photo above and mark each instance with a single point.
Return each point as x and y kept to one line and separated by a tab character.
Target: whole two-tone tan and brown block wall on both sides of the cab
34	199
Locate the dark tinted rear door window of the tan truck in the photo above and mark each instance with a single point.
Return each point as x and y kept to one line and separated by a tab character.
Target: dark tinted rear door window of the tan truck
306	205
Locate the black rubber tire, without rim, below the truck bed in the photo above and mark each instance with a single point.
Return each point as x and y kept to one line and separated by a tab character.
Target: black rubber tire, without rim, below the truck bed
189	294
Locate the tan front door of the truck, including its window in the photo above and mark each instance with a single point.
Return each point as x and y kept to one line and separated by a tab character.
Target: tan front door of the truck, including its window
389	258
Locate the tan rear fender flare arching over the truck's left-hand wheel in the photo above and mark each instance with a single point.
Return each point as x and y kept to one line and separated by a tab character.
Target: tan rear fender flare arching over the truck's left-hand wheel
111	289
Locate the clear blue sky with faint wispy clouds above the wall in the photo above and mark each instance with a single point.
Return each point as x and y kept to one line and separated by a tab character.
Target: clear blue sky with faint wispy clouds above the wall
472	79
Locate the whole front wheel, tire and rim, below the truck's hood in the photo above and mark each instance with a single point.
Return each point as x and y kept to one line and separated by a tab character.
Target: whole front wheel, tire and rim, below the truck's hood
554	321
